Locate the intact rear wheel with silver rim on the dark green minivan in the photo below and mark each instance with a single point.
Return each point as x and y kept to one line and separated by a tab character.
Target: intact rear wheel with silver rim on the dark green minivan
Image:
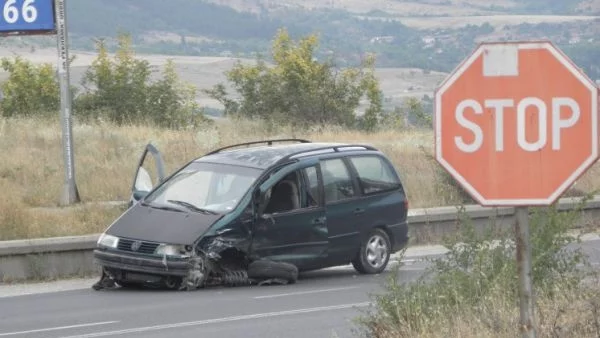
374	253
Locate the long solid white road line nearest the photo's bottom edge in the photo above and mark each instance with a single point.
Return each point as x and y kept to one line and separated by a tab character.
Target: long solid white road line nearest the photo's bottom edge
219	320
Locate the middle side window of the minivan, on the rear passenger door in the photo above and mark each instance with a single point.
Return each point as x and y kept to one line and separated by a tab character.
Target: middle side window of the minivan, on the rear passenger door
336	180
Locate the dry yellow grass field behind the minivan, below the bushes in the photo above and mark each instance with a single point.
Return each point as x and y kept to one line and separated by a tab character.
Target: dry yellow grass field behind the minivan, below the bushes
31	167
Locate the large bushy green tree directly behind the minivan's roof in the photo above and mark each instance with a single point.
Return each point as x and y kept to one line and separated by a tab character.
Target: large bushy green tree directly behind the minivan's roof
300	90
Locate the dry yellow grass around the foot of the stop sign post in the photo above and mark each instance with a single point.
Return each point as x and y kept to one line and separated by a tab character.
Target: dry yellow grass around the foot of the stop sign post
573	314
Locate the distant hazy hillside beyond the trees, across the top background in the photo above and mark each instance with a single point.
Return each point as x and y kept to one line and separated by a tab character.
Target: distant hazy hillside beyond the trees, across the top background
423	35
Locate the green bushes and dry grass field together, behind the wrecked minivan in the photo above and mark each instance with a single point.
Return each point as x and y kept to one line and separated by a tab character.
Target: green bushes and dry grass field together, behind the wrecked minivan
125	104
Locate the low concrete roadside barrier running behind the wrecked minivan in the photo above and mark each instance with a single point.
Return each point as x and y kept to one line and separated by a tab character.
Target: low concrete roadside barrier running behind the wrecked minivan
49	258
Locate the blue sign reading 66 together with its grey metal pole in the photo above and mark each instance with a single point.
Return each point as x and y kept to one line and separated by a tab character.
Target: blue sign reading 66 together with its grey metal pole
41	17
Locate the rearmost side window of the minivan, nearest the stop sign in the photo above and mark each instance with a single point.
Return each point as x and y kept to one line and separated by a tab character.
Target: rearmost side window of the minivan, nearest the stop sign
374	174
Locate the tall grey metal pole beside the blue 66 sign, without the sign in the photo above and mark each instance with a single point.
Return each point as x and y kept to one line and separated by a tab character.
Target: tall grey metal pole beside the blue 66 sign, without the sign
70	193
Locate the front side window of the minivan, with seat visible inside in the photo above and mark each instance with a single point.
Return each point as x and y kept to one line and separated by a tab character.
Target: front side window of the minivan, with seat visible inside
297	190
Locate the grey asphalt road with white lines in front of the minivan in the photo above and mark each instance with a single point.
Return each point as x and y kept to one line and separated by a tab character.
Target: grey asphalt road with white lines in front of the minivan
322	304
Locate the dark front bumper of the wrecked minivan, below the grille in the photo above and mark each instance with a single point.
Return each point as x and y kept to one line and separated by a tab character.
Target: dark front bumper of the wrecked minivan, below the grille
135	263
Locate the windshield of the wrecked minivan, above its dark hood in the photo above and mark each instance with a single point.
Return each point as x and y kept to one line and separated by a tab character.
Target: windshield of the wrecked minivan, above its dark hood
205	187
